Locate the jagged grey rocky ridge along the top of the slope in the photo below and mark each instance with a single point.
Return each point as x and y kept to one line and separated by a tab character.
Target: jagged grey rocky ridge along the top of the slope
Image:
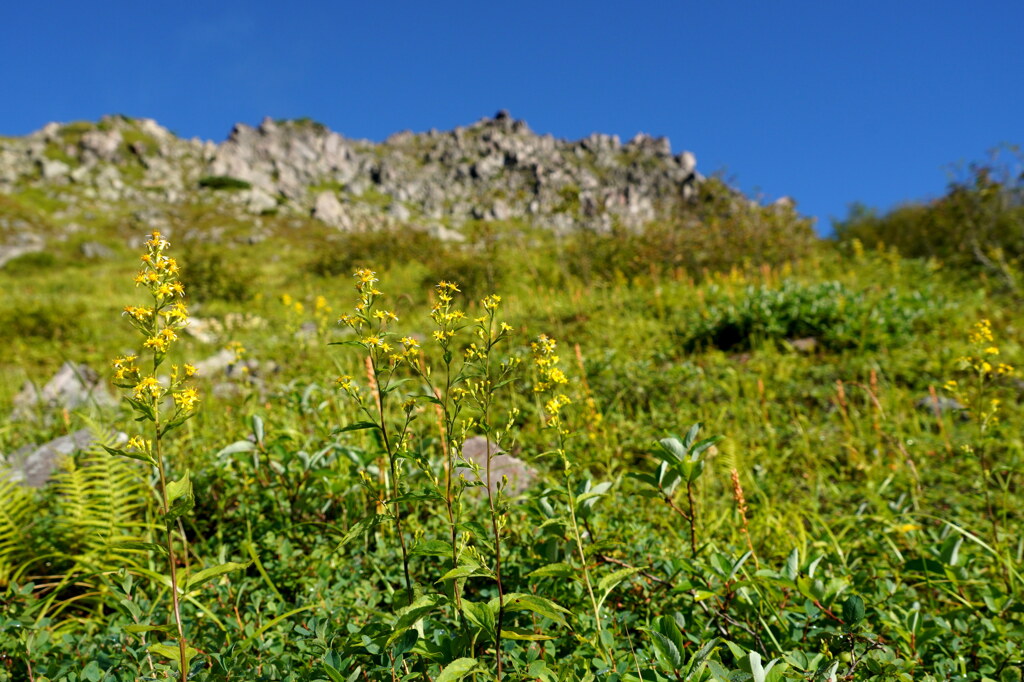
495	169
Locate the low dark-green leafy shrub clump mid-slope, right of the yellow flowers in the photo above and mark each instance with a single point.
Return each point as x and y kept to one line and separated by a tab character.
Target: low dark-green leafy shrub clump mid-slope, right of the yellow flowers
837	317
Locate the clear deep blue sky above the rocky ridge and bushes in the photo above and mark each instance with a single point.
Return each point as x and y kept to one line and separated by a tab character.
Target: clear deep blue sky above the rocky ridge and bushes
828	102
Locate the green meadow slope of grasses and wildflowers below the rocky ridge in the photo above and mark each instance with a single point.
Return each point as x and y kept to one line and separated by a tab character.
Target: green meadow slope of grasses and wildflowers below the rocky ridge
713	501
